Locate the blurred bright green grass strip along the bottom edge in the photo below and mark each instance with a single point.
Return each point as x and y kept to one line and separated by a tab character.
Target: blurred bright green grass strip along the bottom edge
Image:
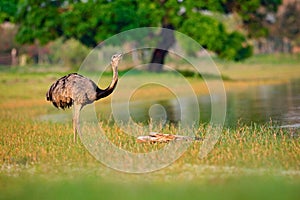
87	188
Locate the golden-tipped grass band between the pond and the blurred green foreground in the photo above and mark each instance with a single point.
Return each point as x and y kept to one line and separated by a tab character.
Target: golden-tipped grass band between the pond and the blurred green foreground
26	141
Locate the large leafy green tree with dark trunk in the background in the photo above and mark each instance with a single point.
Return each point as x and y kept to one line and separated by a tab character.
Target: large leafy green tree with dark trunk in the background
95	20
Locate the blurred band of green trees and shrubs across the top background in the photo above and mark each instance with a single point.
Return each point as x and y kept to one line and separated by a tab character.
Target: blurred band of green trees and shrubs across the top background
63	32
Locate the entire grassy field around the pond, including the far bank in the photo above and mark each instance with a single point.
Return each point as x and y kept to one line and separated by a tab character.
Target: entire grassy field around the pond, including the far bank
38	159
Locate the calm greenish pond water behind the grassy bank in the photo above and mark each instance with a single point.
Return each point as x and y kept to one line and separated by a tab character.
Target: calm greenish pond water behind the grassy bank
258	104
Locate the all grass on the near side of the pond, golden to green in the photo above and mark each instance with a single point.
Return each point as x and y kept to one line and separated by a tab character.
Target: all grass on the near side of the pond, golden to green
40	158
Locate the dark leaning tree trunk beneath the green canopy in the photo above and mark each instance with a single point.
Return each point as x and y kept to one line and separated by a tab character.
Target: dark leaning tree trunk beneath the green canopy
167	39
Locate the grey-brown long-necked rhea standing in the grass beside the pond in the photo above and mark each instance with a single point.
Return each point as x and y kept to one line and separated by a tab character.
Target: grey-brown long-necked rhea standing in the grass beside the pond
77	90
